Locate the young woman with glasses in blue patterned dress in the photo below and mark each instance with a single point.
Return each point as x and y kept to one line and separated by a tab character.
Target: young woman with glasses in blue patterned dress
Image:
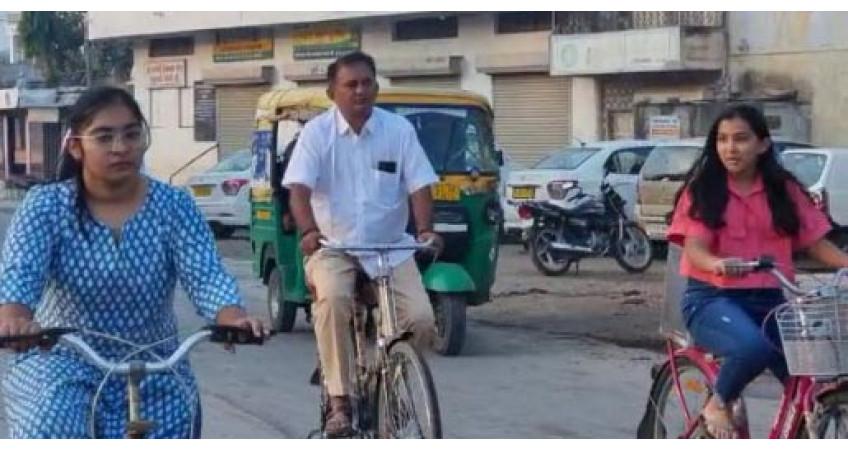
102	250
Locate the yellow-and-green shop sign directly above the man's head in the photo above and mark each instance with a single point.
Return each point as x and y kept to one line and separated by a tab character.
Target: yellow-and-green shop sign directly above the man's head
324	41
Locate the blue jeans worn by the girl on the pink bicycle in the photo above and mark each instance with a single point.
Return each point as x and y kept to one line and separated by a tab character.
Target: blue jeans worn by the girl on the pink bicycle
728	323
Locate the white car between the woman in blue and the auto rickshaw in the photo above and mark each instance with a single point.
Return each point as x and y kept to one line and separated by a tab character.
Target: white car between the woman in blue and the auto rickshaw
223	193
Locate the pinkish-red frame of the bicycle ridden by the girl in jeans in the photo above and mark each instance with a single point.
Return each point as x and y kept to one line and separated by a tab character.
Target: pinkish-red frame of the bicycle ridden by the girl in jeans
797	401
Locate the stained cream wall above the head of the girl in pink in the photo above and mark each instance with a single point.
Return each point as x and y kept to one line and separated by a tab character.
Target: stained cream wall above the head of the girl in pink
779	52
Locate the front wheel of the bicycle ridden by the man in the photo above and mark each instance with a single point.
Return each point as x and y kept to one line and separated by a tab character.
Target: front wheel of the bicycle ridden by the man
407	404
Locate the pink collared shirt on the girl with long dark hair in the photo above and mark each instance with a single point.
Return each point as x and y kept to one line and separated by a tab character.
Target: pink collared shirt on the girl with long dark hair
748	234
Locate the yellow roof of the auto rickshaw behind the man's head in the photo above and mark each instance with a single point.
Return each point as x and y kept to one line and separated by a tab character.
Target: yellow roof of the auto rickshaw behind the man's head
316	99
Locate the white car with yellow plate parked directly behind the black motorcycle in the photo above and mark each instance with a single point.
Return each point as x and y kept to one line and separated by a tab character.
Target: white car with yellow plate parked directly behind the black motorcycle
584	166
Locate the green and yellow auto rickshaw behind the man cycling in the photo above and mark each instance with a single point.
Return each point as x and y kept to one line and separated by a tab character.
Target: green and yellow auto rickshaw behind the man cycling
455	130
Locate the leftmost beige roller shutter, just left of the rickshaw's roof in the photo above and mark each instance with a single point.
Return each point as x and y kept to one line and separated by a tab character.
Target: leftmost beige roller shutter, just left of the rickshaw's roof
236	113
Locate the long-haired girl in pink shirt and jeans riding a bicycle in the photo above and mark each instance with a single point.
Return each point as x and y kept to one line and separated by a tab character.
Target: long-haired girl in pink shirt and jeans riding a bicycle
739	203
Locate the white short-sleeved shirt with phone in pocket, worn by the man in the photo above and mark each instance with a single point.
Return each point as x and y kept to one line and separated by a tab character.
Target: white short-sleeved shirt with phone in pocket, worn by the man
361	183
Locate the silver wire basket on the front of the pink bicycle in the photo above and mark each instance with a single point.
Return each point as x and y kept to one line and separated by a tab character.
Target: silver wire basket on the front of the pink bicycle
815	337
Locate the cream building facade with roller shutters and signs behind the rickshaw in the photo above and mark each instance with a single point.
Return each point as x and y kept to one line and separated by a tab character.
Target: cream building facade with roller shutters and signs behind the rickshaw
554	79
